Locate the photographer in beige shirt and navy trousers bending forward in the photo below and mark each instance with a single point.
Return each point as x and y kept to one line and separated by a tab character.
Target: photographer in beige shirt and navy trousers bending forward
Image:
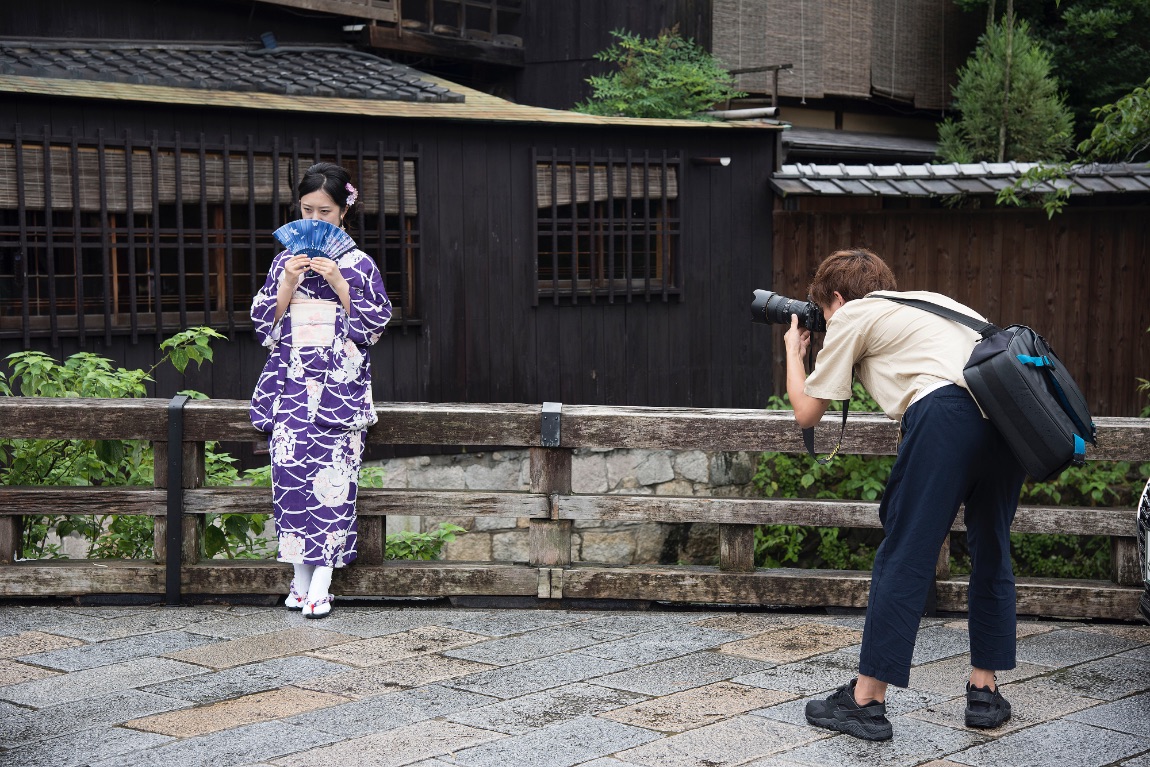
911	362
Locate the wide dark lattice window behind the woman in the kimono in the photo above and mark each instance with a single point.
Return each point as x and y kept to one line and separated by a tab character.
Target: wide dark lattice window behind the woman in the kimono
117	236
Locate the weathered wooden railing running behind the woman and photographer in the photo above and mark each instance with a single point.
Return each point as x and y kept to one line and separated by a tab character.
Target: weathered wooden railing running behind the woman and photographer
550	505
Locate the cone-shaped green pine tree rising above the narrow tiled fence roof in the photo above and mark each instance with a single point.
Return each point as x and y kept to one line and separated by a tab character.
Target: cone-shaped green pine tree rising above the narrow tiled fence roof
1008	102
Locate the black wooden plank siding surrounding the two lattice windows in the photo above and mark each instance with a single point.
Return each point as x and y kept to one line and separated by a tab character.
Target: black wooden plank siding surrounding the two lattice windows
480	338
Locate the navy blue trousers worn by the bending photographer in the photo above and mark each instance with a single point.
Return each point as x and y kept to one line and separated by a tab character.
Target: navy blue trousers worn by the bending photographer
949	456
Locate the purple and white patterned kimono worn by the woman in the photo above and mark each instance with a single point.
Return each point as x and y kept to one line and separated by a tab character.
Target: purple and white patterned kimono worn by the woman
317	404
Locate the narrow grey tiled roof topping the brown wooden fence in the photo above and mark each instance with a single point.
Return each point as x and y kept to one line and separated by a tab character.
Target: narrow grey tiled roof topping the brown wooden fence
950	179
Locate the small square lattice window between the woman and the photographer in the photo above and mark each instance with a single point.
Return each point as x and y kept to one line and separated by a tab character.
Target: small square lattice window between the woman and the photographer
607	227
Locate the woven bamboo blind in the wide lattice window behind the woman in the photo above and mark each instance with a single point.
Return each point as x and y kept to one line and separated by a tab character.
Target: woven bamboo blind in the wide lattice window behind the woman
191	185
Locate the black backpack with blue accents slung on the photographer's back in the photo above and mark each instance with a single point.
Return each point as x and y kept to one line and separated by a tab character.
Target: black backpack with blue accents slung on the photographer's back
1028	394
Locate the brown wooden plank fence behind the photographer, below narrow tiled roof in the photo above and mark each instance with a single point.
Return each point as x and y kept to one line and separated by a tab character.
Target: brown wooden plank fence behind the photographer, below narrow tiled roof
1080	279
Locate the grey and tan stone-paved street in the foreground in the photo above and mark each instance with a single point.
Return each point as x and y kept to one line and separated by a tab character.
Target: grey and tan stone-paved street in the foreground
393	686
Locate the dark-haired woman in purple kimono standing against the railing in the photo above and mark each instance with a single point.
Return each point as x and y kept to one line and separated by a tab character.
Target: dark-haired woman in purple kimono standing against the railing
315	396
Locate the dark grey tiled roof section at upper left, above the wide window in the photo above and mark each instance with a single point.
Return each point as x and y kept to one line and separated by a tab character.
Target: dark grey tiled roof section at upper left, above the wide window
295	71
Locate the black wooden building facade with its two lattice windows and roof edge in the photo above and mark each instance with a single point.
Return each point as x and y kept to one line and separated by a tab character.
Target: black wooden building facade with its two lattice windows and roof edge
533	256
